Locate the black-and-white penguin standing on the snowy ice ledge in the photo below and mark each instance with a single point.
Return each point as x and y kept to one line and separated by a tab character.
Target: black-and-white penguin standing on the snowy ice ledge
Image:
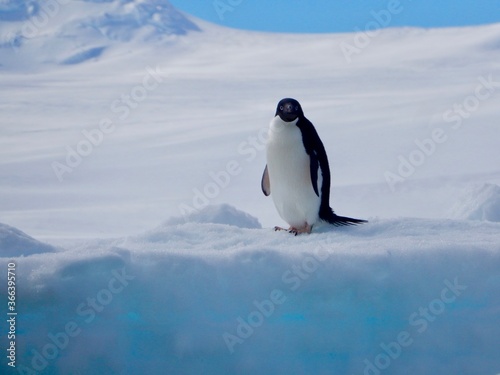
297	171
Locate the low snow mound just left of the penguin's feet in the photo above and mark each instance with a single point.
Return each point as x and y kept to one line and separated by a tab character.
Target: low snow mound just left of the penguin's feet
219	214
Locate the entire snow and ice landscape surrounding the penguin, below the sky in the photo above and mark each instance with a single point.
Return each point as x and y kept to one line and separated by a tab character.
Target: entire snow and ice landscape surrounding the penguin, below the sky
131	152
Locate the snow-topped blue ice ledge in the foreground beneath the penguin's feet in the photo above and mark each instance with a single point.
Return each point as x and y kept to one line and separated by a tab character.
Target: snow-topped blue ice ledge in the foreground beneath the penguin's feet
376	299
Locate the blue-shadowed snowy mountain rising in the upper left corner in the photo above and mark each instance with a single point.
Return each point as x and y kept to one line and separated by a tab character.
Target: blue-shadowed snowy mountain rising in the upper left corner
71	32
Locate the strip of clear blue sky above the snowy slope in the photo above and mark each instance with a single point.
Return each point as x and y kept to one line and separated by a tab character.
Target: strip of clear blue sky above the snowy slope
318	16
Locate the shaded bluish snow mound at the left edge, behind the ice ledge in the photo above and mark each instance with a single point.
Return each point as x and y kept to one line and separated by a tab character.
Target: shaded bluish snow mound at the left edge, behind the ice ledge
15	243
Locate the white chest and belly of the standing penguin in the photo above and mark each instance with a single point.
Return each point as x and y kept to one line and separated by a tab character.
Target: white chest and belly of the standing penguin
290	175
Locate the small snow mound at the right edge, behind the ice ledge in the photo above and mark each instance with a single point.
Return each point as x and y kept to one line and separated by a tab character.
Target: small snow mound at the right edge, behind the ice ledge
479	203
